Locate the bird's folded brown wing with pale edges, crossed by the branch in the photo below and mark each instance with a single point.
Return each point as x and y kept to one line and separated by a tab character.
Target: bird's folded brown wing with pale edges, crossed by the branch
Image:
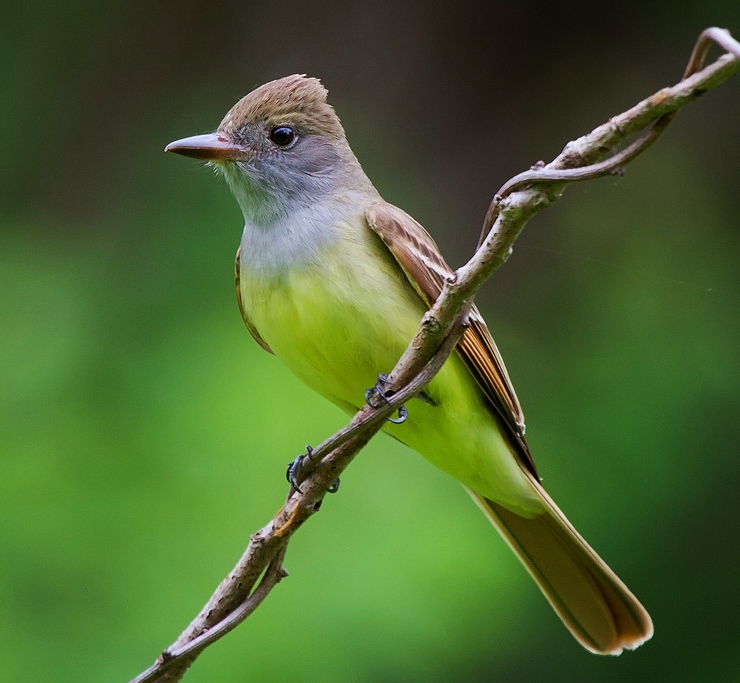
420	258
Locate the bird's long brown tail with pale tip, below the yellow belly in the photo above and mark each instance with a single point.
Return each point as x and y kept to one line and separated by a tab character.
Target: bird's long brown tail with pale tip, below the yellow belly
598	609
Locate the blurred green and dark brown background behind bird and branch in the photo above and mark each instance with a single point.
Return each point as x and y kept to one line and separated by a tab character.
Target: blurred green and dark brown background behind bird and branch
143	435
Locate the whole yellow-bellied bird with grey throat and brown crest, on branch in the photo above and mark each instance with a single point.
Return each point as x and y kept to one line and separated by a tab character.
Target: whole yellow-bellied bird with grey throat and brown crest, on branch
335	281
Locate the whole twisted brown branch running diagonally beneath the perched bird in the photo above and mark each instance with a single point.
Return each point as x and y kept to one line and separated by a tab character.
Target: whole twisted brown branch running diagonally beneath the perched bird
513	206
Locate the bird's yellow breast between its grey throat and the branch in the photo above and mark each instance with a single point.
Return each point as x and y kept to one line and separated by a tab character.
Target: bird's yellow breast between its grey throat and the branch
337	319
